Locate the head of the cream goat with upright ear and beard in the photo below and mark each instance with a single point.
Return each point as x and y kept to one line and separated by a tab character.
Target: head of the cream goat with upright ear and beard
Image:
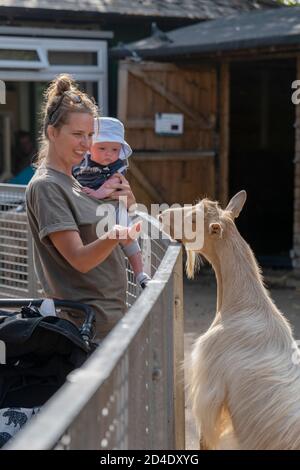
202	226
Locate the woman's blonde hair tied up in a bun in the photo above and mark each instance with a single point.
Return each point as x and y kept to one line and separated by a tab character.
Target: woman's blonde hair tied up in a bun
61	98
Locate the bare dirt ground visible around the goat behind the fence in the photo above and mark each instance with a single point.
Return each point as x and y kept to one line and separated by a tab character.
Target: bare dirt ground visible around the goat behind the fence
200	305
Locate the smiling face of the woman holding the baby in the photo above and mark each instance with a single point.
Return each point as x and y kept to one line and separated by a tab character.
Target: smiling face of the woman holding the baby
73	139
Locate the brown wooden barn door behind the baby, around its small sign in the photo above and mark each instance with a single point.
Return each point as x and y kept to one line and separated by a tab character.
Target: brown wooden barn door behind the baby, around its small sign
168	169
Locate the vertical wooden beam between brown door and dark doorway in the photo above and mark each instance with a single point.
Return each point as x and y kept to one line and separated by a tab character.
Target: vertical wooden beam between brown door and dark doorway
224	109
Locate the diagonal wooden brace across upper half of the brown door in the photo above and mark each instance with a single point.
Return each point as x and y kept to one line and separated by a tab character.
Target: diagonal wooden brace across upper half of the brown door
171	98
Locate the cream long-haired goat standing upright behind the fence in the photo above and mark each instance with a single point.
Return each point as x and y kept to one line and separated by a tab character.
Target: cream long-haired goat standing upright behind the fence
243	384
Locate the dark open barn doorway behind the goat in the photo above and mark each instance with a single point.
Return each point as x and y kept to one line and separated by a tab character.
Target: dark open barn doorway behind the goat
262	141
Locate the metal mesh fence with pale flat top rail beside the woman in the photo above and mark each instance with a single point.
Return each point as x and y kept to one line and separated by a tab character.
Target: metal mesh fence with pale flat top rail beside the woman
130	392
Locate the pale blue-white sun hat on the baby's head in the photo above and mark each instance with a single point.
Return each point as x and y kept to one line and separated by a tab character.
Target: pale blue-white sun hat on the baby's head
111	130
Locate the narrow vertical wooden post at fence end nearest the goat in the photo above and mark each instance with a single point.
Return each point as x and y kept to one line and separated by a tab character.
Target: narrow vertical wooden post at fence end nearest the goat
178	354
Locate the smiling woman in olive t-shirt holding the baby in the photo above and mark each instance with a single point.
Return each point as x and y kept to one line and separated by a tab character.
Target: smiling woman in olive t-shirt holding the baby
71	262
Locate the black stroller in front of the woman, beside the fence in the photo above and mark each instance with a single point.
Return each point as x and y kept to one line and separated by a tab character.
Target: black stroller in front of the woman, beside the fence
36	354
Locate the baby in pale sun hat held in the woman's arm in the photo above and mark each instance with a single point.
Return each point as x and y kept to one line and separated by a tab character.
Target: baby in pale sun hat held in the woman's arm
109	154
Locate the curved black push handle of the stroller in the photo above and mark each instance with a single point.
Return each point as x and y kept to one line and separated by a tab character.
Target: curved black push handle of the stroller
85	330
